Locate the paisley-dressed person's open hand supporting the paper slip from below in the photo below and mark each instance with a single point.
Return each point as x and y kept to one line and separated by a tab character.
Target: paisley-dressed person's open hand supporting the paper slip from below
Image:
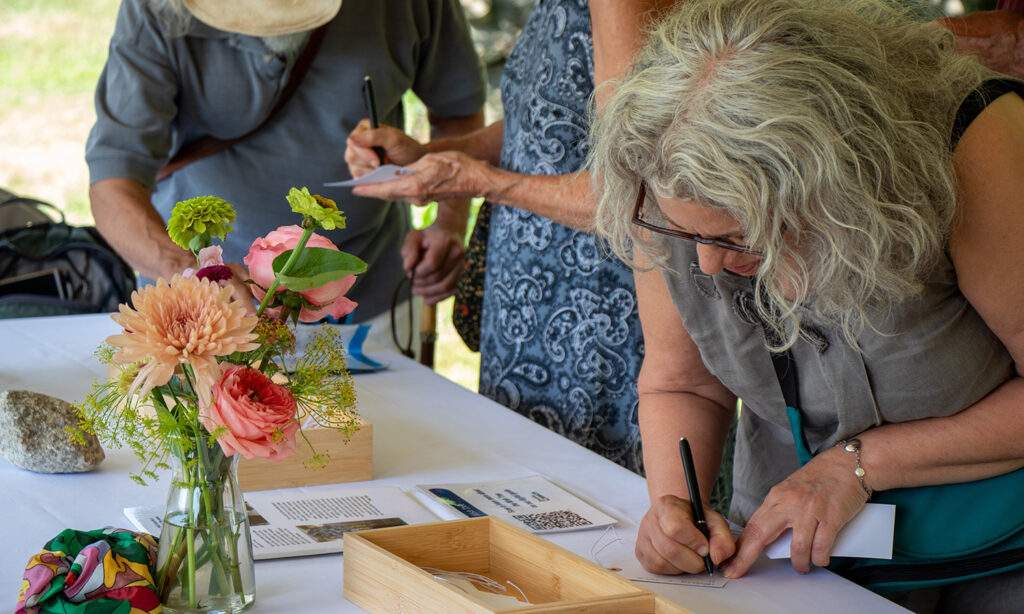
439	178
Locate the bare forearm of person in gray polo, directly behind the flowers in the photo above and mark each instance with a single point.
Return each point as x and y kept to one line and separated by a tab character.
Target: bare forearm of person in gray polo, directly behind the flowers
126	218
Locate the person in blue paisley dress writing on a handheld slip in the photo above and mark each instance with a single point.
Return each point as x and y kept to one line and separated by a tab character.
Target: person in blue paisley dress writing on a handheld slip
561	340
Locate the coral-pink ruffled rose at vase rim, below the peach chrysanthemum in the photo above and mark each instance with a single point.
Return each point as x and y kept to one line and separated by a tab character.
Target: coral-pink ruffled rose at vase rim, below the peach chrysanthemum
260	415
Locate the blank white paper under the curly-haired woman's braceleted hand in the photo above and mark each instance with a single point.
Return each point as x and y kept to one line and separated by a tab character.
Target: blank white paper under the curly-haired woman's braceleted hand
869	536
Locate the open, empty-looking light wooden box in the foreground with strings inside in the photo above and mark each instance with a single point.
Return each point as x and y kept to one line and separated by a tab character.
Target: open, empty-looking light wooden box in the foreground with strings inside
383	573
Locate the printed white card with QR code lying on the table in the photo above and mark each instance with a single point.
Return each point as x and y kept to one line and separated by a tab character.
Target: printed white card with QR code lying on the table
534	504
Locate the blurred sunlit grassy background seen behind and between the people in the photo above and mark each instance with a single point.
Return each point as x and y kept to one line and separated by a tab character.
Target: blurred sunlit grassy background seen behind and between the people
52	53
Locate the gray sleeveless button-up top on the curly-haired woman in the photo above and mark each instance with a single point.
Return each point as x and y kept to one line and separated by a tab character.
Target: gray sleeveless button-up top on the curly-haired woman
932	357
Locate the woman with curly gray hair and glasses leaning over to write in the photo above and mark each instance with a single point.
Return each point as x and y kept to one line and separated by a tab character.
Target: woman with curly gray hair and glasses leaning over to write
824	188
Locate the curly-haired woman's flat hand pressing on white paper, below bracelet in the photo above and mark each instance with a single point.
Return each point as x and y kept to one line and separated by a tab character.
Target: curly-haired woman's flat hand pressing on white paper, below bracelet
816	502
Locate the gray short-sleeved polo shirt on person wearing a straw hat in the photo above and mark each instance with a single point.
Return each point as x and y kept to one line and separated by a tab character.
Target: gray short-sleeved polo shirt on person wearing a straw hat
159	92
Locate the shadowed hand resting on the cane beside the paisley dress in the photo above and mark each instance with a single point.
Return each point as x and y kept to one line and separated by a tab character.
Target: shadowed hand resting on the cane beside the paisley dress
437	256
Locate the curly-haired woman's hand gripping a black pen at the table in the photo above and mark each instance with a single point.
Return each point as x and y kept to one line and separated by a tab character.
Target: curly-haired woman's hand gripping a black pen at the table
669	543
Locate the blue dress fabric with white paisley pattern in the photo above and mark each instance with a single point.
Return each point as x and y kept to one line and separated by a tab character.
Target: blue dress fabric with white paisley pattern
561	338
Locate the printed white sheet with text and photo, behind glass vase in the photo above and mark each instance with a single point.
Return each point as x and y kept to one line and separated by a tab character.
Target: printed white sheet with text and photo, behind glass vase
288	523
